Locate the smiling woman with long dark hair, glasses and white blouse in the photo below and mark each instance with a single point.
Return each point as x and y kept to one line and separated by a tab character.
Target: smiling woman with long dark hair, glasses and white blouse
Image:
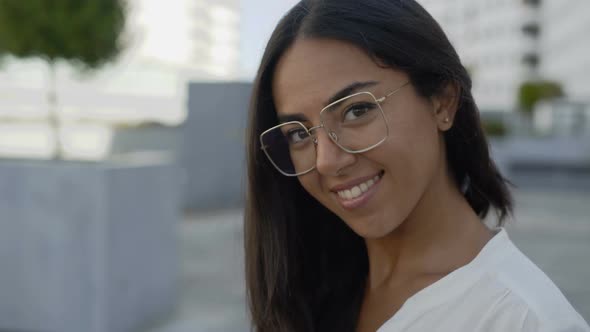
369	177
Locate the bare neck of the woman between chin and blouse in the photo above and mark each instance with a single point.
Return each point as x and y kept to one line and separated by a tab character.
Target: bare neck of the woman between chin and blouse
442	234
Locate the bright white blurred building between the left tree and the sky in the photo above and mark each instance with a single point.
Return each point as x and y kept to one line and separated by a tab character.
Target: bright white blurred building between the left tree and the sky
199	35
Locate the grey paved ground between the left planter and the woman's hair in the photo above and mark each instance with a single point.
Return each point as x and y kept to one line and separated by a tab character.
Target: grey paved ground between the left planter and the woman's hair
212	295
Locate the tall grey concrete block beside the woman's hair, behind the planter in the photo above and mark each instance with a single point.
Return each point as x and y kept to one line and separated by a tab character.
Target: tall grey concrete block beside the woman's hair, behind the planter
213	145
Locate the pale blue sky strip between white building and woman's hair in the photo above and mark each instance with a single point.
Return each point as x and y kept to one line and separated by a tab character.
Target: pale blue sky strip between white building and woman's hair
259	17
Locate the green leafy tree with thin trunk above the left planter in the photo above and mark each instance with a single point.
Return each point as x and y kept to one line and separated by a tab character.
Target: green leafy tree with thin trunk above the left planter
84	33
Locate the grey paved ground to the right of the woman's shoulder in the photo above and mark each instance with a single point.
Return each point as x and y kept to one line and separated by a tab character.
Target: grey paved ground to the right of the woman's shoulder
553	229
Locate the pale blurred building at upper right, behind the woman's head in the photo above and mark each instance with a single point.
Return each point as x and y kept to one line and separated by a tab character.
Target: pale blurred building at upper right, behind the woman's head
505	42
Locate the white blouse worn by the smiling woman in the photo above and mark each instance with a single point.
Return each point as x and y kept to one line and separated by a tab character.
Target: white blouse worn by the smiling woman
500	290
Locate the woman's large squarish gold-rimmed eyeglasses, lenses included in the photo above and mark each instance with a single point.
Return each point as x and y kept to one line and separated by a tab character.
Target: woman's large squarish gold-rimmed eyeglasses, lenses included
355	123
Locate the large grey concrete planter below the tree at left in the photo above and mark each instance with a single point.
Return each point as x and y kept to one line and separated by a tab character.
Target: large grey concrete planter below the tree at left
87	247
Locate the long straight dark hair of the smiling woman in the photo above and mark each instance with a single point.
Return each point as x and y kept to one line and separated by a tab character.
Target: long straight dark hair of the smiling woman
305	269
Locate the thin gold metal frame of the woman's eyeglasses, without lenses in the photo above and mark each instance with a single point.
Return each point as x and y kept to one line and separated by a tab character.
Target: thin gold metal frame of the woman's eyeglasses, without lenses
331	134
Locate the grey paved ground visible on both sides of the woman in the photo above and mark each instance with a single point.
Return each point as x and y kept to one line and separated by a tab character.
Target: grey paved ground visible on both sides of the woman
552	228
